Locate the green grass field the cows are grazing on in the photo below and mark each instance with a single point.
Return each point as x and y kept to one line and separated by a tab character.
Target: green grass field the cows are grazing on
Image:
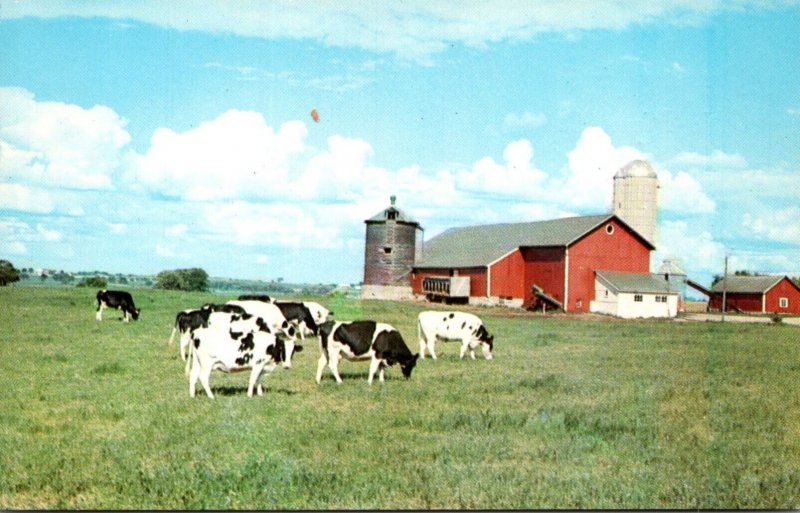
571	413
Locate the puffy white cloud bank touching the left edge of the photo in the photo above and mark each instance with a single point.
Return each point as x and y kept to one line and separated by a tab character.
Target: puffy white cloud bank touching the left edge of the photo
58	144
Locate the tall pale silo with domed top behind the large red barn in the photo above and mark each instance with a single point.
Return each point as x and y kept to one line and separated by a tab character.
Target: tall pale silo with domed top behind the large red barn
636	197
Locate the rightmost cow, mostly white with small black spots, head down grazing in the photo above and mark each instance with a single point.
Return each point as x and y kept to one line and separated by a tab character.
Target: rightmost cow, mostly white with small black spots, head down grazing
465	327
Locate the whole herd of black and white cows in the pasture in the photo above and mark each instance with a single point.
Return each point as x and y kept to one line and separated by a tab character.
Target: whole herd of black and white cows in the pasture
258	333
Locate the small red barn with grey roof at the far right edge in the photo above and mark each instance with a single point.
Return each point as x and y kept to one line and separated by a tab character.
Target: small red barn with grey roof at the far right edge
756	294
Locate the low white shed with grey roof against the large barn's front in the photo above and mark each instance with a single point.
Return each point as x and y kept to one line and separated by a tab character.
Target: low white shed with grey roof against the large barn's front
634	295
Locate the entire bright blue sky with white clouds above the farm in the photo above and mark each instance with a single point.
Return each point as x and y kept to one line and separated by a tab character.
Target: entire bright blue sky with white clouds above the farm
138	136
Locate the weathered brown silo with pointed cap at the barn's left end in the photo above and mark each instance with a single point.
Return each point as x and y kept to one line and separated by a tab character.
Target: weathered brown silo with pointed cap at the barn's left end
389	254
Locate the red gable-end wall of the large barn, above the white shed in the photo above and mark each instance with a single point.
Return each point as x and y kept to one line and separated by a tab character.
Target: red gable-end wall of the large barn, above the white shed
600	251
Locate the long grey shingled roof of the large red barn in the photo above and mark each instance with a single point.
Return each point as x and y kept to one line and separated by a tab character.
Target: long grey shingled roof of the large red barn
479	246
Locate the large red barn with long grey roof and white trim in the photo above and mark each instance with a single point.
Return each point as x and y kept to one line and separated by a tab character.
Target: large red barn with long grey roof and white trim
560	256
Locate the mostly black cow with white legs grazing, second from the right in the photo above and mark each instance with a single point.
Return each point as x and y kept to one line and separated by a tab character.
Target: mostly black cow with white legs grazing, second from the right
363	340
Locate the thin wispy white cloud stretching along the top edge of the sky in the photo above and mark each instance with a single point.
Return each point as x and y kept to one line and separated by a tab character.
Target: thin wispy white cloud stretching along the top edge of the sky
414	29
